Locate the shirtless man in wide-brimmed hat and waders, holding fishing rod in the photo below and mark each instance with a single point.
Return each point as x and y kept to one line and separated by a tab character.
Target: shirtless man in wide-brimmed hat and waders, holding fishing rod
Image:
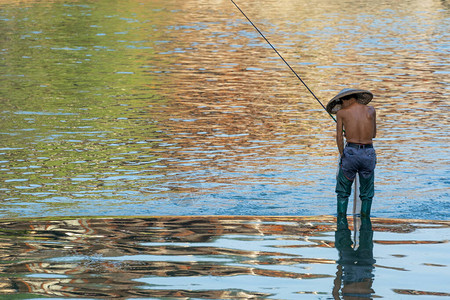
358	122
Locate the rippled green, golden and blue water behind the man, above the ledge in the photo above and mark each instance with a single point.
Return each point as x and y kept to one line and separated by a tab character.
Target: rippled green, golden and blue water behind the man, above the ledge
180	108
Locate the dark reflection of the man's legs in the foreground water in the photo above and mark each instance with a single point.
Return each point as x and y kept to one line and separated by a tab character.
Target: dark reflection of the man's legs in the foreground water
354	277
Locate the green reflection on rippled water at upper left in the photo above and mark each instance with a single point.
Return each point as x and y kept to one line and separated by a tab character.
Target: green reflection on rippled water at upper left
70	96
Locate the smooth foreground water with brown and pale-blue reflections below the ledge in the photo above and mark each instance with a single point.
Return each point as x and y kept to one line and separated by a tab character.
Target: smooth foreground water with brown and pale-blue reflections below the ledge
183	256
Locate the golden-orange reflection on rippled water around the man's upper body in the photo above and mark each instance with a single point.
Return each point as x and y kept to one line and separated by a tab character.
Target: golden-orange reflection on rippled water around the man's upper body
247	95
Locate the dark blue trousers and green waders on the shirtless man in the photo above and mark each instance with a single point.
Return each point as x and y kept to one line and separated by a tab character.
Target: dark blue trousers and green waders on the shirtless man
356	160
